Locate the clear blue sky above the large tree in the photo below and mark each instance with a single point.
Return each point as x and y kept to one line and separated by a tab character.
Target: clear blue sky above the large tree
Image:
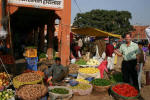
140	9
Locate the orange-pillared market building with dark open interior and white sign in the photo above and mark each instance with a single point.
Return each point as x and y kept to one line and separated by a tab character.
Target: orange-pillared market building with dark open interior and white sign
32	22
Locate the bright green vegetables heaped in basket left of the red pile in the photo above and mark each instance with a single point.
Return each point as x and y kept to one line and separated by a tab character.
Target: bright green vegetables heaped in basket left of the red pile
101	82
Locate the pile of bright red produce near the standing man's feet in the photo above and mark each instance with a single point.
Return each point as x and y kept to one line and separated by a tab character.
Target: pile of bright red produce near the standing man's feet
125	90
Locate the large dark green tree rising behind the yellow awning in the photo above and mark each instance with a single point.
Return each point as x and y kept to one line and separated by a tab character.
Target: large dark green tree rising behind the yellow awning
111	21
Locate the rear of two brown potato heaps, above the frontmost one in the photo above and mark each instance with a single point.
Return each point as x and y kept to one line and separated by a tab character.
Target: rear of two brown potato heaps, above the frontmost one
28	77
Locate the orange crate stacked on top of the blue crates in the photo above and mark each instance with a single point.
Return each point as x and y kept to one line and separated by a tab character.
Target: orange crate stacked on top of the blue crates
30	52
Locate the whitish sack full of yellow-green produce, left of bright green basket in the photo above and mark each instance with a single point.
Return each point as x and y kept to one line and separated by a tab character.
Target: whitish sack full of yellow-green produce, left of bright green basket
82	89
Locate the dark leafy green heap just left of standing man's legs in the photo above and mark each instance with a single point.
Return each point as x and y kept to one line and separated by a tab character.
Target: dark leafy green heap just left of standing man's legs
116	78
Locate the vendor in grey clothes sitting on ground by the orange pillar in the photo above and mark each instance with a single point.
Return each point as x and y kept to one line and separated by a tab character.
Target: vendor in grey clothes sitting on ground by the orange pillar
57	72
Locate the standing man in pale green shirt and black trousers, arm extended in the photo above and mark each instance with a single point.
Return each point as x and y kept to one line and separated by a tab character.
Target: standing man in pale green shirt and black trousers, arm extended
130	63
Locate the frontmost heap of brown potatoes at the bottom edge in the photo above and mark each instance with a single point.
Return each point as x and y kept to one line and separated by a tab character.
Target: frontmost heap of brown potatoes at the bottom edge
31	92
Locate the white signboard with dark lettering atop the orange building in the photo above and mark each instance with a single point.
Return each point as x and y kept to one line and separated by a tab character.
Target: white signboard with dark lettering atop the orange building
39	3
